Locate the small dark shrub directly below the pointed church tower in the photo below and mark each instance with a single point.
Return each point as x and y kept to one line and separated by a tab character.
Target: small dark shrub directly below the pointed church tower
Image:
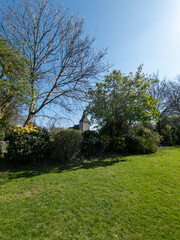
92	144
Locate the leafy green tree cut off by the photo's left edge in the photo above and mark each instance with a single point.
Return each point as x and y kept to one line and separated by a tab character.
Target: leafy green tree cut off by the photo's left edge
13	81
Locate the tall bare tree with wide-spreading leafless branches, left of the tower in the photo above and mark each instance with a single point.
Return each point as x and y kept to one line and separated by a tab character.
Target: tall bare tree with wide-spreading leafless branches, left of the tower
62	61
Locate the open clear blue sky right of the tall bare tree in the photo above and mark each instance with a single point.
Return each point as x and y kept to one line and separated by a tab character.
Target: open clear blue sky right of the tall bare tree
135	31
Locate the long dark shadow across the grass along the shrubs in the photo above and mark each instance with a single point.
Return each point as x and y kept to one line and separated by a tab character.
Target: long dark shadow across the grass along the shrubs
32	171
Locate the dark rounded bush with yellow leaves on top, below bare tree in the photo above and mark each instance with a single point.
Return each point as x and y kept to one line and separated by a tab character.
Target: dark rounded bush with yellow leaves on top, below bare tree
27	144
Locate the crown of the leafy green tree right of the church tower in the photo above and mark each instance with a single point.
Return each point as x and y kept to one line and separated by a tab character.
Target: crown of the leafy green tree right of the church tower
121	100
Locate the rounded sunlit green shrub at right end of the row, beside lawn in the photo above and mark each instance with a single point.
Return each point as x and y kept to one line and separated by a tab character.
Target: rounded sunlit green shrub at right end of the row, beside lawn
142	140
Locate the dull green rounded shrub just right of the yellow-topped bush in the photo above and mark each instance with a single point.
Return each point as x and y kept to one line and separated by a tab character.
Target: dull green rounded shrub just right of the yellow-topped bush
65	144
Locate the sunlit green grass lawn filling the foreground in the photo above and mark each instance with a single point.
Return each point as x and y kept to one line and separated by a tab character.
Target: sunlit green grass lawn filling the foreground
132	197
